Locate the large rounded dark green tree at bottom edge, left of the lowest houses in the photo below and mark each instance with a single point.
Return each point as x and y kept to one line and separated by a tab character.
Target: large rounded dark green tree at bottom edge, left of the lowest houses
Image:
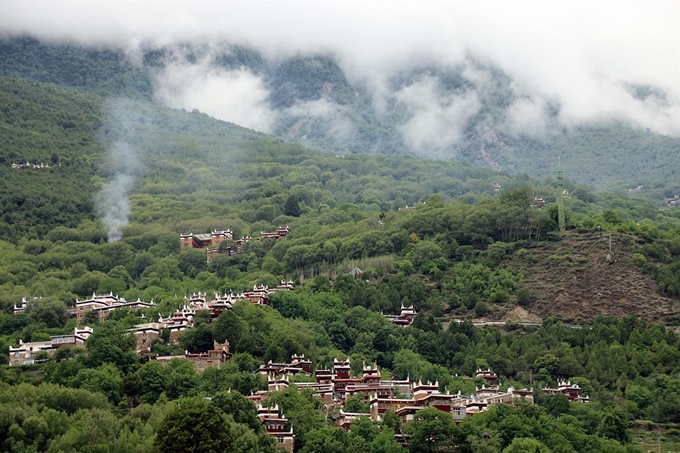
194	427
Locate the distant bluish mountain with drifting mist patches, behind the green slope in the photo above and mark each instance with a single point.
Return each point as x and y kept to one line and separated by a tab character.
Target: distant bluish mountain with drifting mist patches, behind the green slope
471	111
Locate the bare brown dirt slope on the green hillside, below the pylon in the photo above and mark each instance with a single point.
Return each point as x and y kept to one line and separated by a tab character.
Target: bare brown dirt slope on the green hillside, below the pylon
575	281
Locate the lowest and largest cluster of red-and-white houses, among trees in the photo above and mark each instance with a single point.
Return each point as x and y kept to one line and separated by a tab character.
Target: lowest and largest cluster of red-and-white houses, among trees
405	398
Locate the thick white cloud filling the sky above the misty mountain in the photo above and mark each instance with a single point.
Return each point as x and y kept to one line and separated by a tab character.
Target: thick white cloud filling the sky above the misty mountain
582	54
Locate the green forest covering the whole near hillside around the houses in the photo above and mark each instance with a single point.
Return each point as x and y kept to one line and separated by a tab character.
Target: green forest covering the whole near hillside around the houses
434	234
